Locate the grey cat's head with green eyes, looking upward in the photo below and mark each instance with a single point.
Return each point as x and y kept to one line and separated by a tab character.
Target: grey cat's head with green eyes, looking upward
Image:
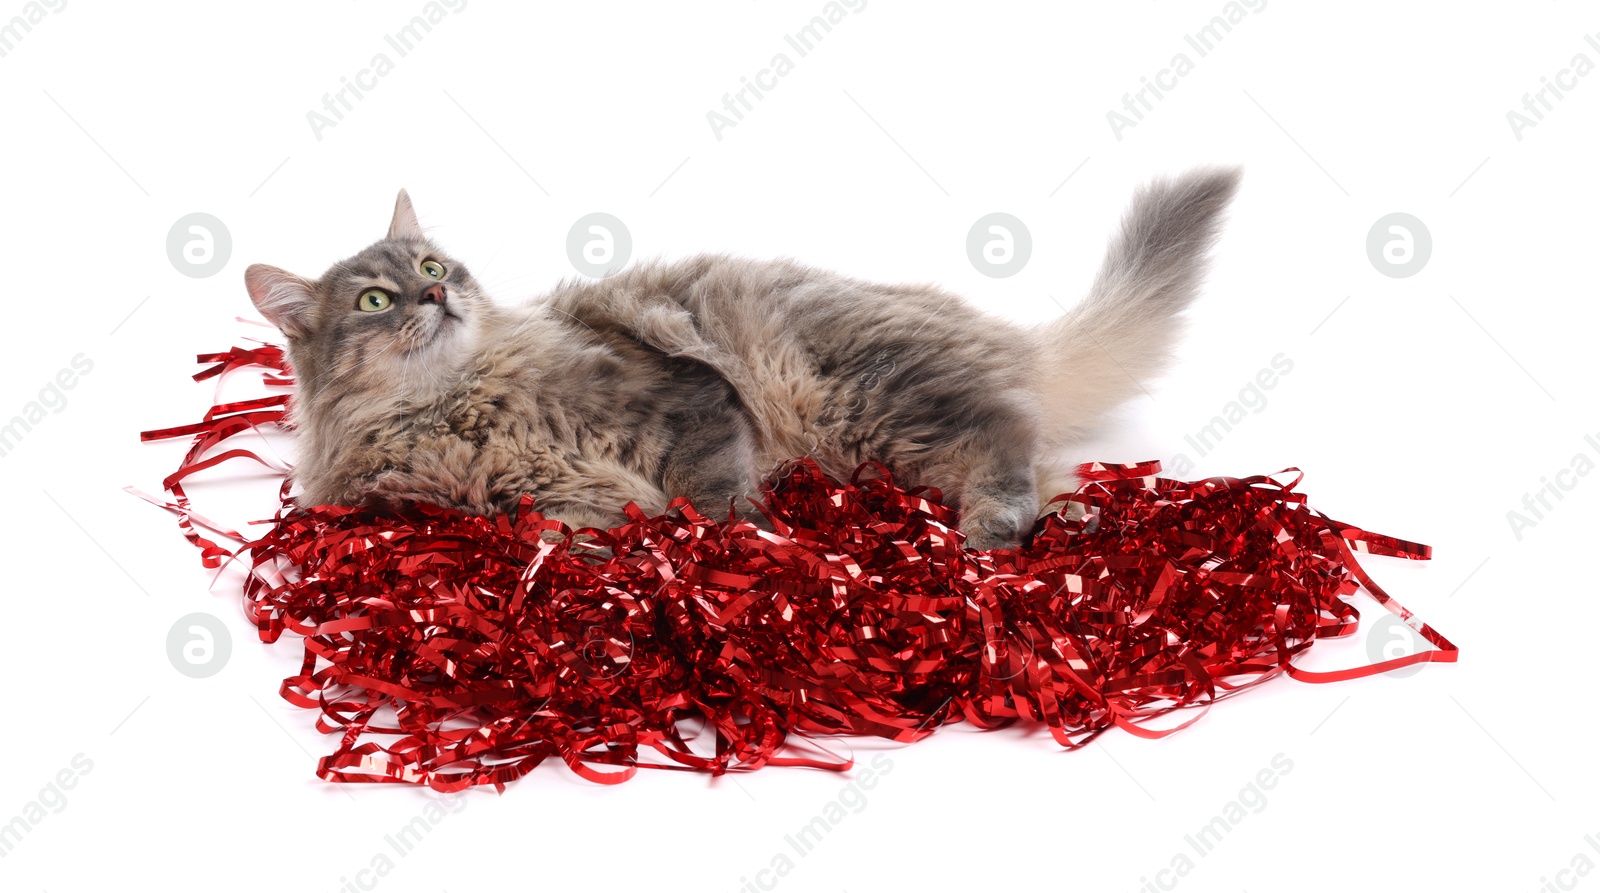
394	316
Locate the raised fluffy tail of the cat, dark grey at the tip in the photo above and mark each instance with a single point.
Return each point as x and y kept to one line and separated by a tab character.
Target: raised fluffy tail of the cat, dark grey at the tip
1103	350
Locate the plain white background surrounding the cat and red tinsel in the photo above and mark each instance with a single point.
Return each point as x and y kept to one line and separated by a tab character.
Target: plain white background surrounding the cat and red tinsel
1423	407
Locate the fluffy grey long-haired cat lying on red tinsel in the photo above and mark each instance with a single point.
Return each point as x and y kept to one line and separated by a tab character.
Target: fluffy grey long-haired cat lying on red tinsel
698	378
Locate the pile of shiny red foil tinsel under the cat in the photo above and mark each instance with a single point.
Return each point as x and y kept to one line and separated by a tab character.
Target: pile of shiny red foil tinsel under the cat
455	651
